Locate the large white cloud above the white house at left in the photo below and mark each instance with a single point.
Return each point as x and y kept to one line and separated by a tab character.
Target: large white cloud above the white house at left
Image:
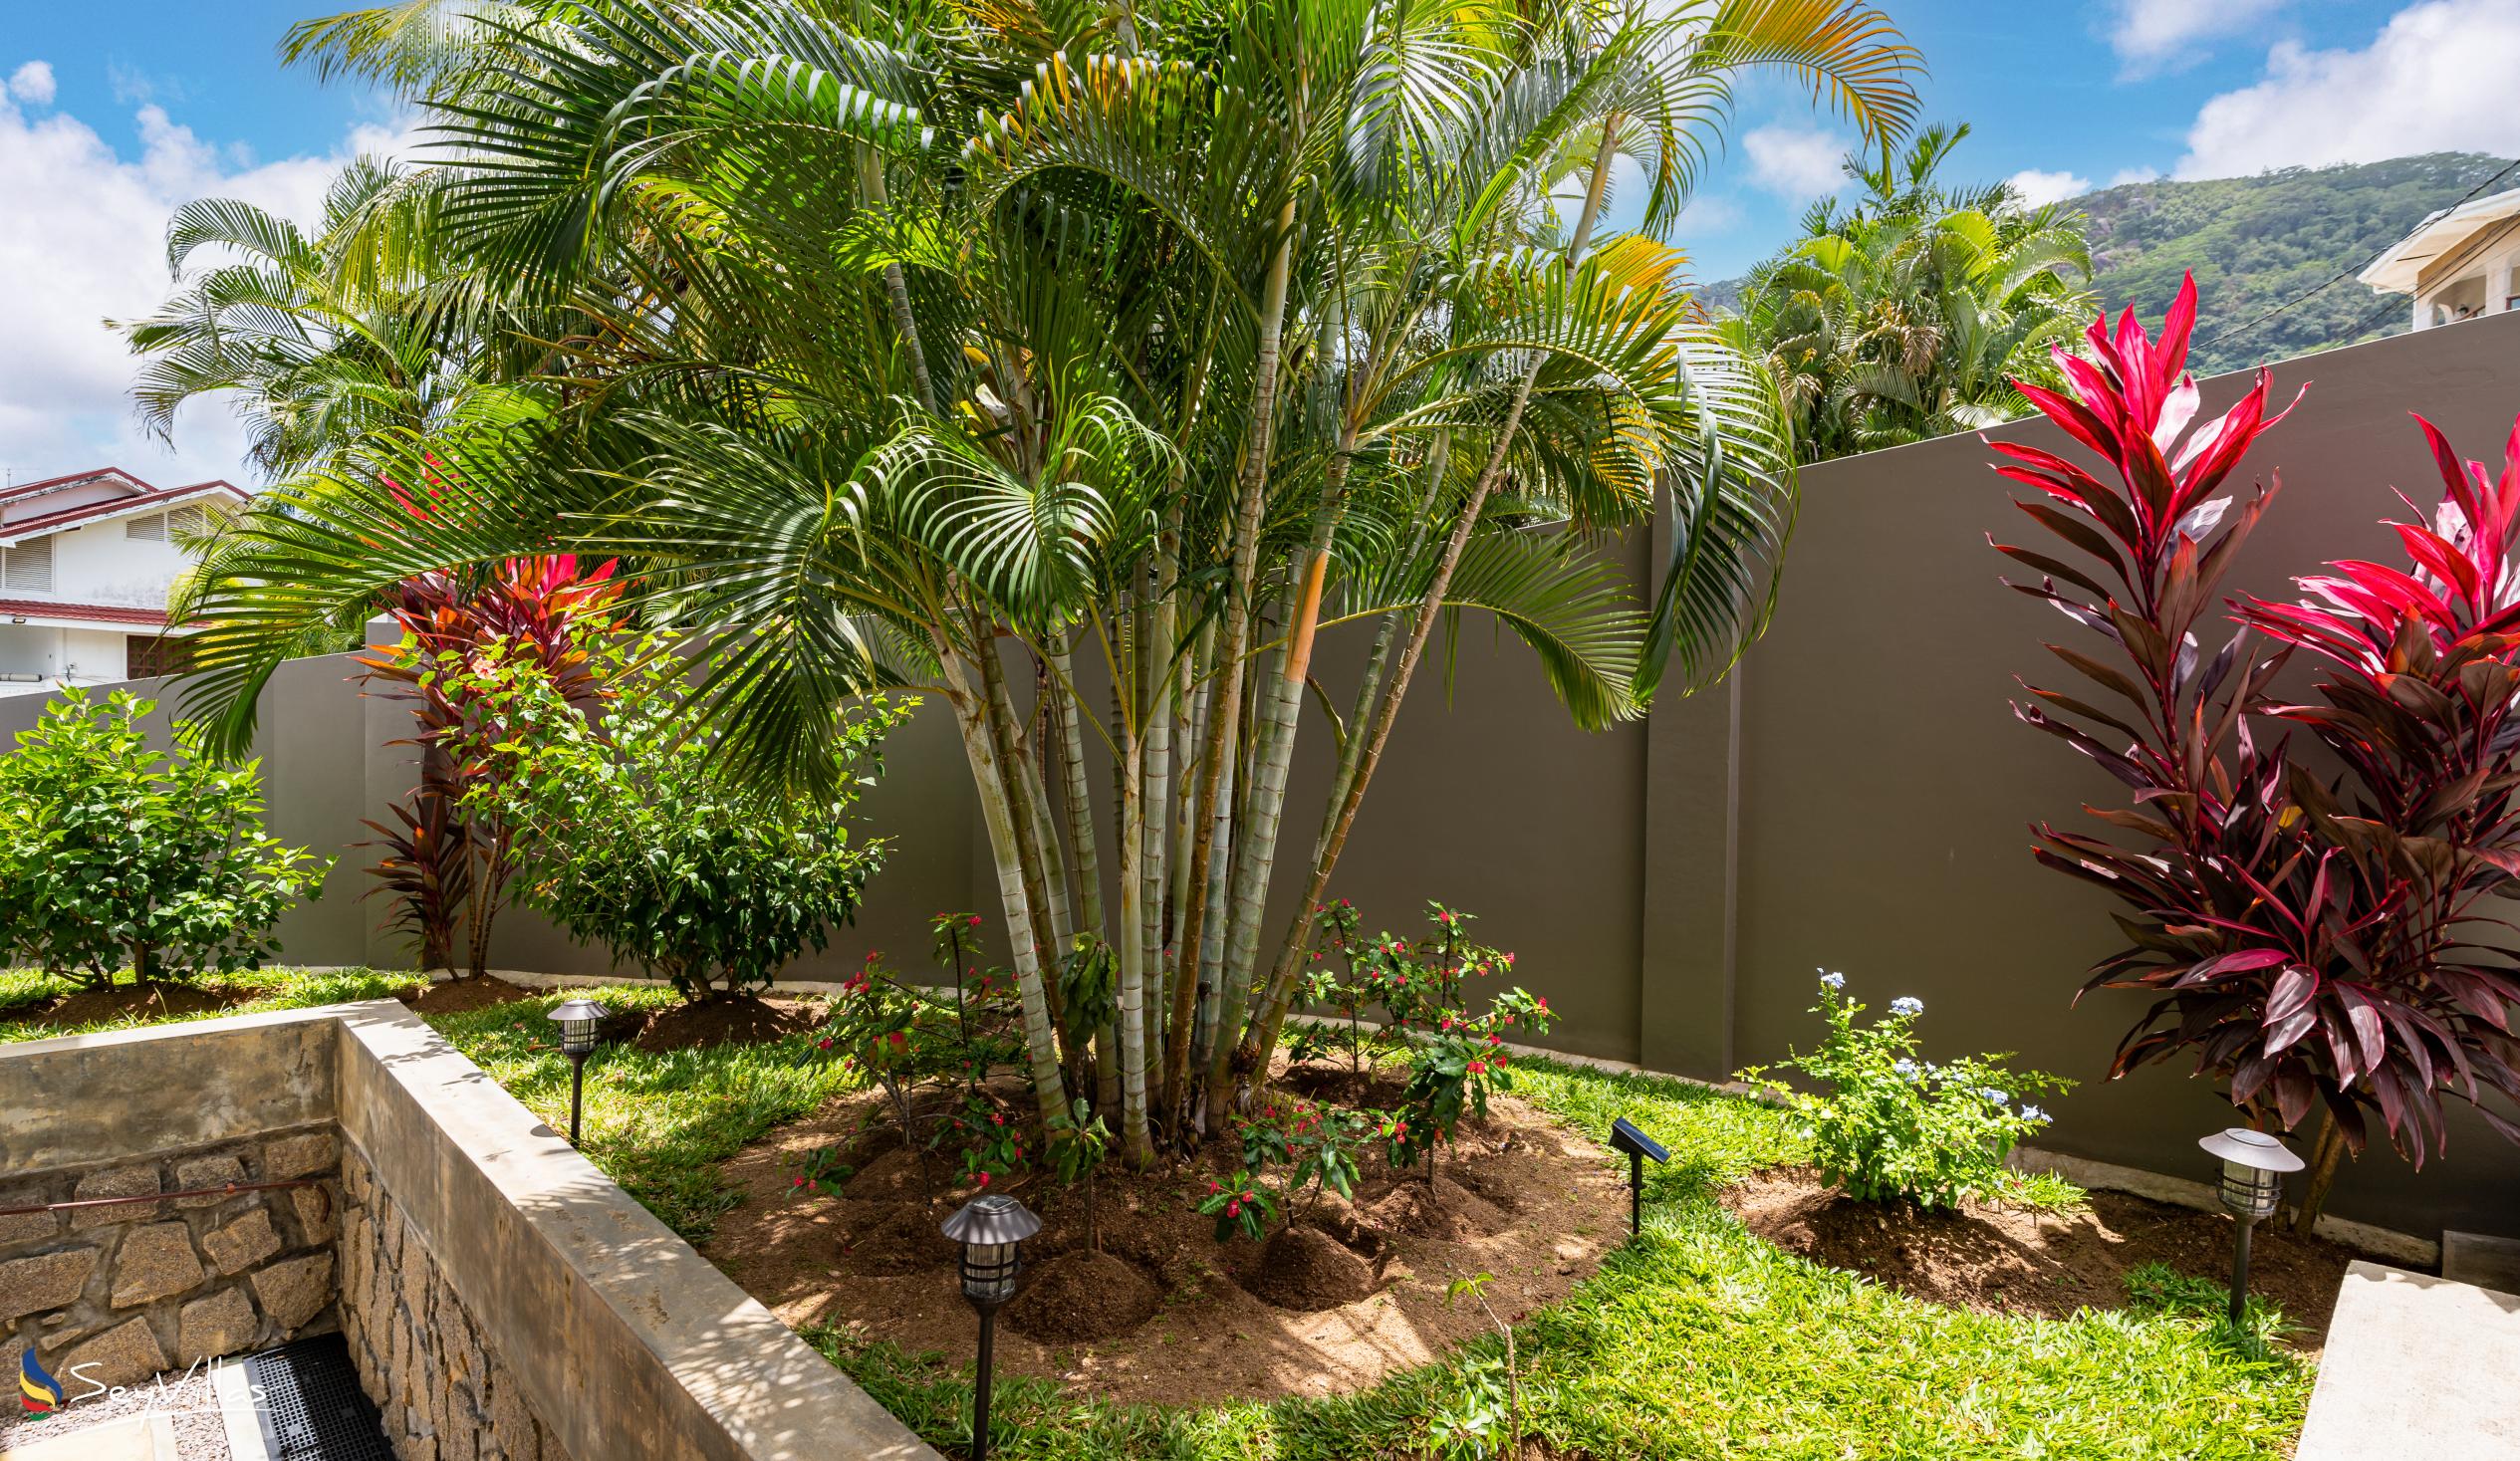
87	243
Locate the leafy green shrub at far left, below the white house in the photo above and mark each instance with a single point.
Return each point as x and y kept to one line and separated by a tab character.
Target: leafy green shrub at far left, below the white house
115	853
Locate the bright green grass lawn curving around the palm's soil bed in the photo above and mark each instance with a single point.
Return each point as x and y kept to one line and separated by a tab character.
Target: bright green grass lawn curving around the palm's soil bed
1695	1344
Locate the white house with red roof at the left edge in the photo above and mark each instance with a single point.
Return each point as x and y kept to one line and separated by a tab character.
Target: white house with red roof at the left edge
87	563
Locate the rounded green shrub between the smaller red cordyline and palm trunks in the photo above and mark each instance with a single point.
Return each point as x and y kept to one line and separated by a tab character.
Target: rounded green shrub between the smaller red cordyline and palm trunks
634	835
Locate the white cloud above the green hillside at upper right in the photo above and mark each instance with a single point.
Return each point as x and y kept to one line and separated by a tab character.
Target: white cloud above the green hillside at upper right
2436	79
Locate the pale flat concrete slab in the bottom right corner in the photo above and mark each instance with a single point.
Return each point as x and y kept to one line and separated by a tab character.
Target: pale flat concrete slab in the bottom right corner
2420	1369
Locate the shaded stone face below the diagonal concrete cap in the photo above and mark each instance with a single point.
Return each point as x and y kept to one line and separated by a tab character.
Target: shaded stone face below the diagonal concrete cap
420	1351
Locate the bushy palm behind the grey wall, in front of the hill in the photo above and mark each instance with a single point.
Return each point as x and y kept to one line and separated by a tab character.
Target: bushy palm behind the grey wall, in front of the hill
1914	311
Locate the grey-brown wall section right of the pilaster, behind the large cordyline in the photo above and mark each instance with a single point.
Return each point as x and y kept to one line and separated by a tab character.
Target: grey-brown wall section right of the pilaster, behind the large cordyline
1886	790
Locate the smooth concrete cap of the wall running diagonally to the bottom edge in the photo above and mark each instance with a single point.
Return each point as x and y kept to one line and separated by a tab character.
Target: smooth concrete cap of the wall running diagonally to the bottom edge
626	1339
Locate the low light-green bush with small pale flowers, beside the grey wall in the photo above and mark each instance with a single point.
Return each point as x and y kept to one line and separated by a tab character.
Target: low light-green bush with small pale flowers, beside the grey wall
1889	1125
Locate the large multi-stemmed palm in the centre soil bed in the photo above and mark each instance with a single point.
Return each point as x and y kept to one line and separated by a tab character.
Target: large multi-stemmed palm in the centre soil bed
1221	329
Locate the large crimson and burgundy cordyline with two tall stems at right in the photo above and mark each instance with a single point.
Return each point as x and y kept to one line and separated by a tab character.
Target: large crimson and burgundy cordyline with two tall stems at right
2310	946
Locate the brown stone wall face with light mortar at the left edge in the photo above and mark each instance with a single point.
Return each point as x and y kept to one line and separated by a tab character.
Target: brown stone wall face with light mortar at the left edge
110	1296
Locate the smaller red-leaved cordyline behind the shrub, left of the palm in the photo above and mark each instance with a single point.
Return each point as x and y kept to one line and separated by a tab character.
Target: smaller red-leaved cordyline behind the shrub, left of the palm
442	865
